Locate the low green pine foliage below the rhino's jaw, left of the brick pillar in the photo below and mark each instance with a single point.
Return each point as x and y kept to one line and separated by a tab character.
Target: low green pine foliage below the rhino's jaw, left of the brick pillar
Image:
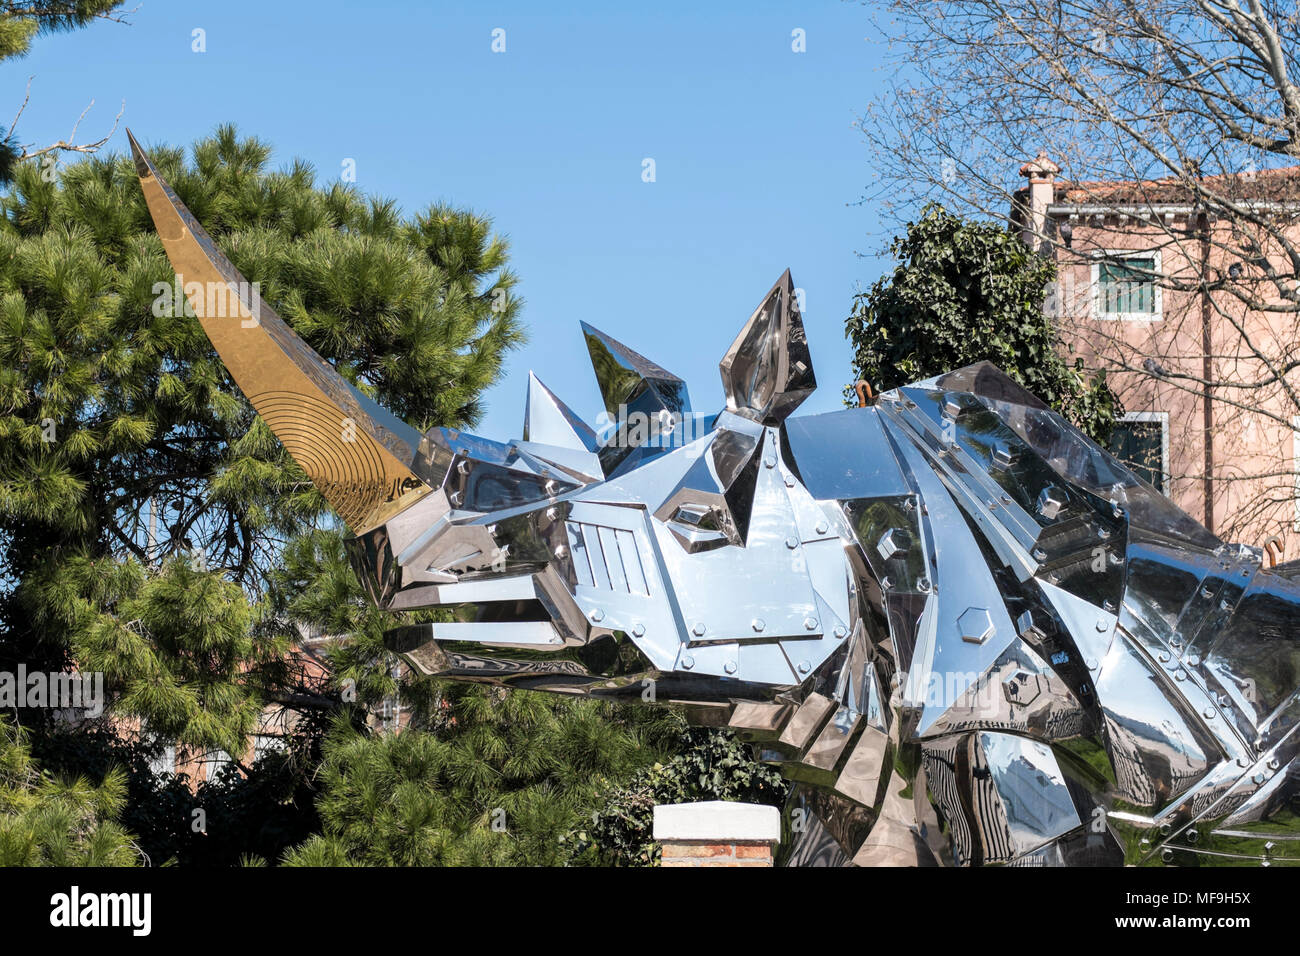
501	781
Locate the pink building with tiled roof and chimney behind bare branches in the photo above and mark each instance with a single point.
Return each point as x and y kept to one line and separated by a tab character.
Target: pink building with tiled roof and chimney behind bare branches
1194	318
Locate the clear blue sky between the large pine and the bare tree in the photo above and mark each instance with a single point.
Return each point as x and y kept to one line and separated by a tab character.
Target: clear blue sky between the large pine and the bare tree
757	163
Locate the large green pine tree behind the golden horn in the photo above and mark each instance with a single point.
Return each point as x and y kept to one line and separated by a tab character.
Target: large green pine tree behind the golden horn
142	501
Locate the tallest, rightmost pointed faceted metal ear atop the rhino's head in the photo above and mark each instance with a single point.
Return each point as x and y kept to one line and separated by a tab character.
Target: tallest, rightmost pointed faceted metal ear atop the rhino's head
768	373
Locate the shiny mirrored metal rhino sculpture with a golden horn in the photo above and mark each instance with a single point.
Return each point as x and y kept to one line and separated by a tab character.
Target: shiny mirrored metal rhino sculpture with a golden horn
969	634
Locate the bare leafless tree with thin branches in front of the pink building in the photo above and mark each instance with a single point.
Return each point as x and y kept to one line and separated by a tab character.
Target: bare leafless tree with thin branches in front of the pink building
1173	120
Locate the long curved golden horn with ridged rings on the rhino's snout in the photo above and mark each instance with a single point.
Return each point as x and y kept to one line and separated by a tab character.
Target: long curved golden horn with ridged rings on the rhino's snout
361	457
